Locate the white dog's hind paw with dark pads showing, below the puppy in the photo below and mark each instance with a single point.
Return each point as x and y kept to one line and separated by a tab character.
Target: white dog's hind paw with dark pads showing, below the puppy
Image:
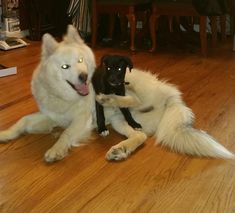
117	153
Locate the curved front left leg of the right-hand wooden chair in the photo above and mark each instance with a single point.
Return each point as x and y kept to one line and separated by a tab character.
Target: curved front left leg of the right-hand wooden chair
152	26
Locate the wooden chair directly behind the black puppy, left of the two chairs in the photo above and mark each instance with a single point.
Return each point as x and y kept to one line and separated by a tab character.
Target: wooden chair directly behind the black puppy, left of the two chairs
126	8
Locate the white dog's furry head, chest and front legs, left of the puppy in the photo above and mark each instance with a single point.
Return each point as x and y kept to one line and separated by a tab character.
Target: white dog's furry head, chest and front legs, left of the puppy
59	103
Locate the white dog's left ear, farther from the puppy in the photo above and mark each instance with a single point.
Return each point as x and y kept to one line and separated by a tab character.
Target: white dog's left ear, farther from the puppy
49	44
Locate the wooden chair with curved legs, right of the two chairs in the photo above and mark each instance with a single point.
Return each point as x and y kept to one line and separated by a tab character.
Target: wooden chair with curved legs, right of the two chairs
183	8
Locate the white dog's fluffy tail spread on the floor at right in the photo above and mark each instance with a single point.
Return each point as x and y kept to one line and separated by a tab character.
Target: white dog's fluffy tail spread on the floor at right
176	132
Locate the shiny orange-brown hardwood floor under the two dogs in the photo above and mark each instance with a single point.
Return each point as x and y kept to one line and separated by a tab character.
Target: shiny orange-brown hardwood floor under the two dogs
153	179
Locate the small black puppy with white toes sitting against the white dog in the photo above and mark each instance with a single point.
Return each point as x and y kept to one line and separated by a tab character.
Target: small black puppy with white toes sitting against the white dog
109	78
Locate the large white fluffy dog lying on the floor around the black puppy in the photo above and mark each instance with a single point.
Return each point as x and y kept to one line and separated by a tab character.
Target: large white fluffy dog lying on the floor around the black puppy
61	86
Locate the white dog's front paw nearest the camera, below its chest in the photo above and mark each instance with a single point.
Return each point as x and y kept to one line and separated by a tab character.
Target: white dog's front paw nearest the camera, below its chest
55	154
